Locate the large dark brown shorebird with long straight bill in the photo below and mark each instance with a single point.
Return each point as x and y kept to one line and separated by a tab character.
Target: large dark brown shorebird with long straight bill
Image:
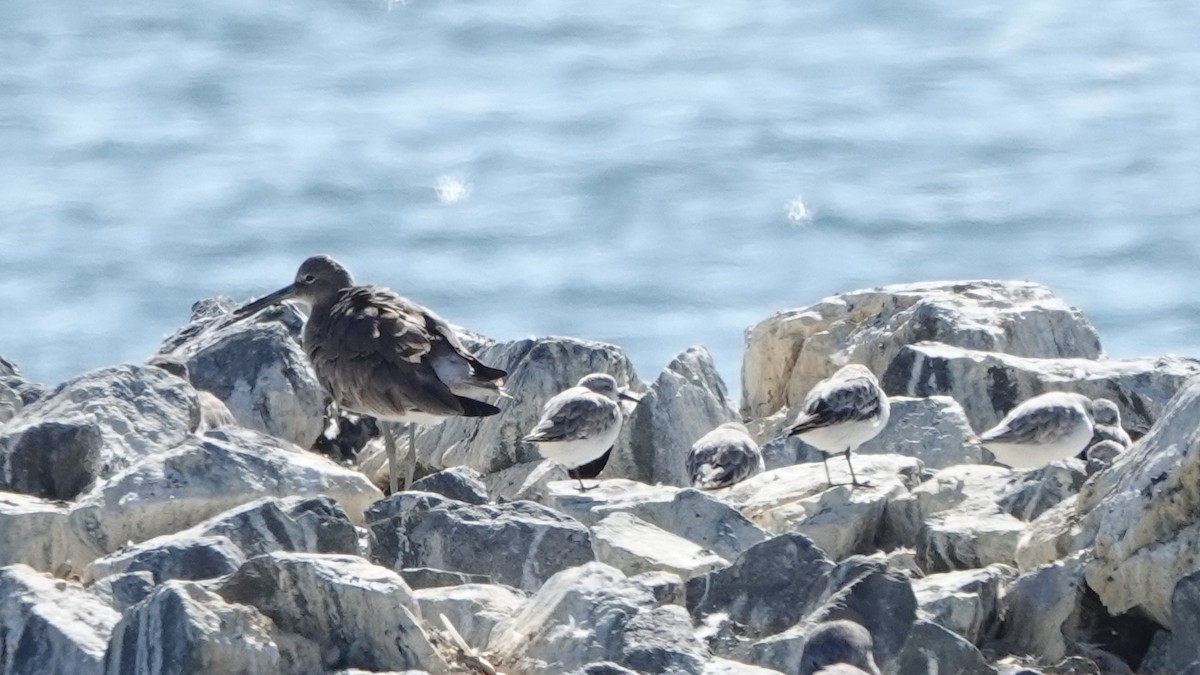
379	354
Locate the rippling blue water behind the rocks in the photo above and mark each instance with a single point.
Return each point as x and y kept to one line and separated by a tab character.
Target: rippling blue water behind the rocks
656	175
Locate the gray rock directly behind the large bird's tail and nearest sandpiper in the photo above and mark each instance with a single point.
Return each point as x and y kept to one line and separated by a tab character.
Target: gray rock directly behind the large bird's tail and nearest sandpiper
538	369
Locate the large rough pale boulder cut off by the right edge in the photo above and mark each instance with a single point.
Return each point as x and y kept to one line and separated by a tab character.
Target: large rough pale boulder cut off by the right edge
1142	516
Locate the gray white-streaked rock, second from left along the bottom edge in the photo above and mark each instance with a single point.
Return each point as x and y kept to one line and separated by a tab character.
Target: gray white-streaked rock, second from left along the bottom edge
184	629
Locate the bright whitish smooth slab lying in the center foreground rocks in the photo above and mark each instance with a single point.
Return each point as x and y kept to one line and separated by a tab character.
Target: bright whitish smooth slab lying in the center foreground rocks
634	547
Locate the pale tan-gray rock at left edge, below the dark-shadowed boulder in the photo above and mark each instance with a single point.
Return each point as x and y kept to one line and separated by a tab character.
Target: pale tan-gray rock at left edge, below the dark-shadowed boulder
38	533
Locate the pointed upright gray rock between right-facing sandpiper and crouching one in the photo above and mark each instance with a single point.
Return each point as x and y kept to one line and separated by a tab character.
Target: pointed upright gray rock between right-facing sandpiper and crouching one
687	402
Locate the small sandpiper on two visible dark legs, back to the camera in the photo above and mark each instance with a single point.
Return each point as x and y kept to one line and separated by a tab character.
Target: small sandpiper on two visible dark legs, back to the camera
842	414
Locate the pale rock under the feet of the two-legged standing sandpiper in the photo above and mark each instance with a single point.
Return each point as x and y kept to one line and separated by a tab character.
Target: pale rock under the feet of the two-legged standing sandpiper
843	521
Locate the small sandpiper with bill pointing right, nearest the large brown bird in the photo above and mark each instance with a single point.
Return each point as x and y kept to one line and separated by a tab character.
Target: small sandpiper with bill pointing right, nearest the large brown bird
580	425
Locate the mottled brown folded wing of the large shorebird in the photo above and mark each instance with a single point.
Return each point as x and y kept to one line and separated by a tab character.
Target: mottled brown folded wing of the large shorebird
370	353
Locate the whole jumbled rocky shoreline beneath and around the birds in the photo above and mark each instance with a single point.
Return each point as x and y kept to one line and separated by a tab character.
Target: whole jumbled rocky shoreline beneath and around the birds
133	545
